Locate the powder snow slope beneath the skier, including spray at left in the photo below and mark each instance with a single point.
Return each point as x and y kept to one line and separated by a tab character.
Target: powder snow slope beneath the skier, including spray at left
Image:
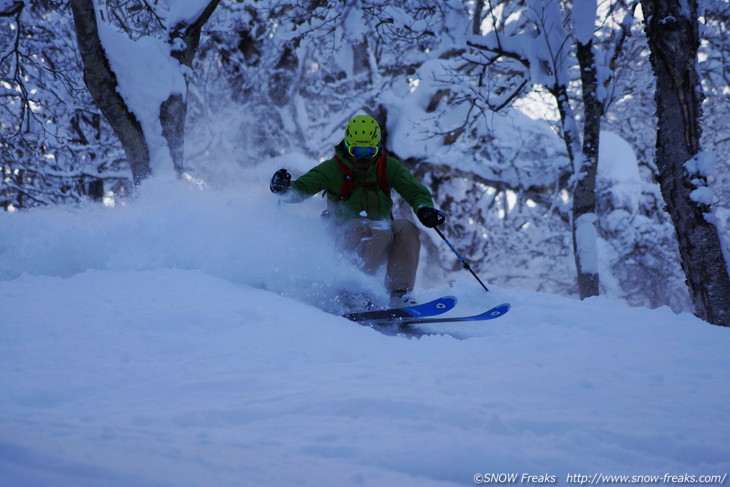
178	340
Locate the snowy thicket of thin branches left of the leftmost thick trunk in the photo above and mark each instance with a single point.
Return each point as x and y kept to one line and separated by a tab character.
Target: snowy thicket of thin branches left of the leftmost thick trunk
54	146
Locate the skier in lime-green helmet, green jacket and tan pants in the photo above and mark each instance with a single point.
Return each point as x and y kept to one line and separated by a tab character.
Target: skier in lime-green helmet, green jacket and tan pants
358	181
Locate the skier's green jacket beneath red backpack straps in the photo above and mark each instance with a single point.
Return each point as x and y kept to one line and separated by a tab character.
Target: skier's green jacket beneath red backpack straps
364	202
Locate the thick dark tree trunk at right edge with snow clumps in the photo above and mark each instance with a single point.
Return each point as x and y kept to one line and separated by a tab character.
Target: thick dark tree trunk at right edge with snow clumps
673	37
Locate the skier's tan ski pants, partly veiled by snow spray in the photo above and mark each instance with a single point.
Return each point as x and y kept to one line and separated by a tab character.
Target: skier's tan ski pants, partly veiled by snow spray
396	242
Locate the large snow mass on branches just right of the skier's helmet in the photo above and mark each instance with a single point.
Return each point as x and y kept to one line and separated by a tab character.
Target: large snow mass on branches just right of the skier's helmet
415	129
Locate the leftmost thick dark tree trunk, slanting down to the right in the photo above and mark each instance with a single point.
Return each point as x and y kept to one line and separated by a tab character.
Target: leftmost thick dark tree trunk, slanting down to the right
102	84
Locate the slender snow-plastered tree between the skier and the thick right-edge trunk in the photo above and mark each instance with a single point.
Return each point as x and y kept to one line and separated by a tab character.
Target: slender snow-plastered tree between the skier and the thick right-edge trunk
548	61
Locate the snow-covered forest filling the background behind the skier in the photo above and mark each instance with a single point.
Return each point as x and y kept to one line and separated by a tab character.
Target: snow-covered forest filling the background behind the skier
534	122
